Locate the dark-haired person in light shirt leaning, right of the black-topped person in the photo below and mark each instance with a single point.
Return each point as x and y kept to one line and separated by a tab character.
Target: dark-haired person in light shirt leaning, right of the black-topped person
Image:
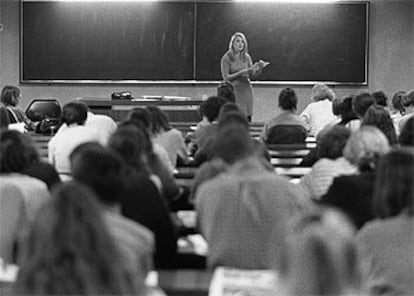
169	138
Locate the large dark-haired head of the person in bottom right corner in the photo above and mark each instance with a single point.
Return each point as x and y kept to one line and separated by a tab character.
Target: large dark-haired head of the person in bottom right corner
394	186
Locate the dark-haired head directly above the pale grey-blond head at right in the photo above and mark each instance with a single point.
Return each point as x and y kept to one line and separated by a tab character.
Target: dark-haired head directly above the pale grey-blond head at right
377	116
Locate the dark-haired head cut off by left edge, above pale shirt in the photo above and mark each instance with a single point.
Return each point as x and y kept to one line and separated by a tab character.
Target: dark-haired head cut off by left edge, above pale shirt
17	152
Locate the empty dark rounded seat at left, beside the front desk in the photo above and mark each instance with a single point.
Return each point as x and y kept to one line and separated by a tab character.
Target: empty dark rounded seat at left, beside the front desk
39	109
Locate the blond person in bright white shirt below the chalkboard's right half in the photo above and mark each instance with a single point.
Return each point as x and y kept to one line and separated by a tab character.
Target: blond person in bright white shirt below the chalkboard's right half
319	113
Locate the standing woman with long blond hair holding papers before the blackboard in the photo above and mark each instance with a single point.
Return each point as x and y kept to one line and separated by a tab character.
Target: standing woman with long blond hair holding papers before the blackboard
236	68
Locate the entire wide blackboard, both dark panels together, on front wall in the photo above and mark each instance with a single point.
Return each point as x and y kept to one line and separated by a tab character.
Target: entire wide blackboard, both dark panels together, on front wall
183	41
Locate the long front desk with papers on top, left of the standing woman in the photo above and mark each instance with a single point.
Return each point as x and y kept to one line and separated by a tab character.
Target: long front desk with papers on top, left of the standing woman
177	110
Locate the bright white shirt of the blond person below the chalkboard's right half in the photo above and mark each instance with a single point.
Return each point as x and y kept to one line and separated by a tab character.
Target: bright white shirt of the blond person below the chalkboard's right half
317	115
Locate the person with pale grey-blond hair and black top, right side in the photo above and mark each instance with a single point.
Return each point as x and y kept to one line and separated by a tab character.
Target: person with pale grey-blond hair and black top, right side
353	194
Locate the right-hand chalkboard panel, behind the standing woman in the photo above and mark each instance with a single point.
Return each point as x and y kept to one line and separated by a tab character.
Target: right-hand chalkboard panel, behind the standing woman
303	42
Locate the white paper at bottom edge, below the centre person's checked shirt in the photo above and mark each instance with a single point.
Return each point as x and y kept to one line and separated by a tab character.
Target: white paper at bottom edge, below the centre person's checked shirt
231	281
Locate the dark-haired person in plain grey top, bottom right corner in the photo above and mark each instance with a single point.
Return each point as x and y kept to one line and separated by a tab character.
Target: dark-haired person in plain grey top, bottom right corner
386	245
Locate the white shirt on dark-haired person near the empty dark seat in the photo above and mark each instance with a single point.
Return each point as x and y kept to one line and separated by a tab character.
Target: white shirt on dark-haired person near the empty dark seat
65	141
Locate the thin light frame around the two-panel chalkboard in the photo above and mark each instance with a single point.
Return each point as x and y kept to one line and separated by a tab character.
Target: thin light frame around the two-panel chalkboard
191	81
